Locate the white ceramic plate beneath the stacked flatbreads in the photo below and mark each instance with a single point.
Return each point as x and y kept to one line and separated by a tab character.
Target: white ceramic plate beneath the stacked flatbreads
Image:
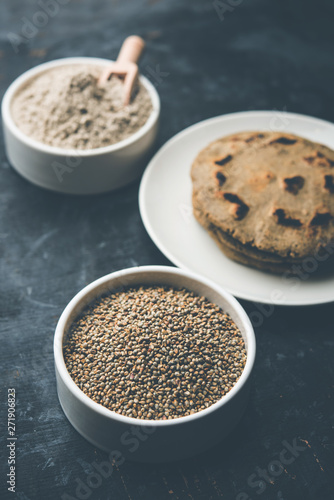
166	211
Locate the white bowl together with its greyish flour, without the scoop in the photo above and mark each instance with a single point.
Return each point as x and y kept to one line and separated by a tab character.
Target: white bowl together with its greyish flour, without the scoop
66	133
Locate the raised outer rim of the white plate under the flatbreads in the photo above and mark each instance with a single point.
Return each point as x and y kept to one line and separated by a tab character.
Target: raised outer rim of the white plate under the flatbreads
161	246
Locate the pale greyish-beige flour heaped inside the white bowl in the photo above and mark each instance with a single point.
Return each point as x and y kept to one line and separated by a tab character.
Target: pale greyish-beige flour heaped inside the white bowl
65	107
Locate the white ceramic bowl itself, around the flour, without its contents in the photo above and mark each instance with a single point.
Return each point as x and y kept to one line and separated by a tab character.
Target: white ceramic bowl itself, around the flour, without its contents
78	171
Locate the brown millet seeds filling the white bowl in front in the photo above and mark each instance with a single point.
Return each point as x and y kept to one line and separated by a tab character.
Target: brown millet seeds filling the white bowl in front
154	352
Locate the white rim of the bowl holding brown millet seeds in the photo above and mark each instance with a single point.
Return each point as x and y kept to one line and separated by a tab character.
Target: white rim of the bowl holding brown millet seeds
112	415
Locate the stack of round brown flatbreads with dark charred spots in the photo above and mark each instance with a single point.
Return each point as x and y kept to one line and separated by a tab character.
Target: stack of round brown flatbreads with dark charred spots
267	198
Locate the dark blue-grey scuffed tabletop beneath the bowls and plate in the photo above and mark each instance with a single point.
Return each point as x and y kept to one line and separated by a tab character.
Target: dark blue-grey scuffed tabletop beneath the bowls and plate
262	55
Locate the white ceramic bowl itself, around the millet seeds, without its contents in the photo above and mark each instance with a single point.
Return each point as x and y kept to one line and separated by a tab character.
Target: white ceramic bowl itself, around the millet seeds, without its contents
152	440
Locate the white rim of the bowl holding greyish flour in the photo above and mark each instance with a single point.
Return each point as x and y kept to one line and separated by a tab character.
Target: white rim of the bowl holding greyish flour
45	148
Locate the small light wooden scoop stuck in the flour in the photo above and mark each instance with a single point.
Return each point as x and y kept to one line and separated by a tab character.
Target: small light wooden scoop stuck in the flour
126	66
